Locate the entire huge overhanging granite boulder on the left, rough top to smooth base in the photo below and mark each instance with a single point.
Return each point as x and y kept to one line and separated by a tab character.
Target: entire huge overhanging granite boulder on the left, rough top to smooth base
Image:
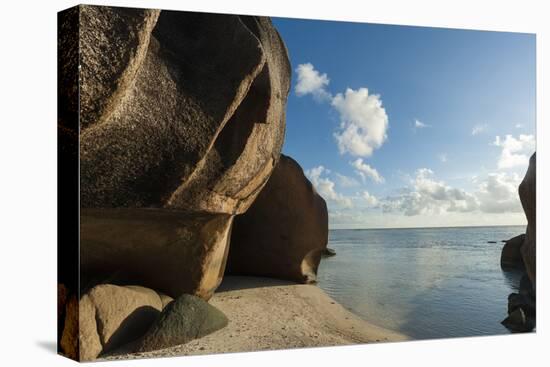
181	124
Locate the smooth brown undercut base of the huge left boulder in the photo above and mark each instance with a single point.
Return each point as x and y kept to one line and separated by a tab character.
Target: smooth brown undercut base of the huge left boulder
169	251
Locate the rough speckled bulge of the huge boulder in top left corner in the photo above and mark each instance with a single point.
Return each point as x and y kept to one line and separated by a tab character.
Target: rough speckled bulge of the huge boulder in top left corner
113	43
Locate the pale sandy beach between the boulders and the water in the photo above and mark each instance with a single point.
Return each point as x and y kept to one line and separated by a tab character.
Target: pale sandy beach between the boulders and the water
271	314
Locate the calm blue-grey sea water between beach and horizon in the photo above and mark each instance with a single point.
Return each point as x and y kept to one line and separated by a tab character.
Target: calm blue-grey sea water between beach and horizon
426	283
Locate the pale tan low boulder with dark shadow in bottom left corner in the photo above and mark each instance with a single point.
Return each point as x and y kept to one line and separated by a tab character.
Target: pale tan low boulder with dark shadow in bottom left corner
111	316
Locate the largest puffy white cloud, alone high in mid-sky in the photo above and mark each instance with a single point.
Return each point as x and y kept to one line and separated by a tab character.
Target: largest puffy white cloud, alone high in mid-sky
363	122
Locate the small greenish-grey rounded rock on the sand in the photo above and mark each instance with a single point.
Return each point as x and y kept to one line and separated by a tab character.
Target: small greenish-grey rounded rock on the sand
183	320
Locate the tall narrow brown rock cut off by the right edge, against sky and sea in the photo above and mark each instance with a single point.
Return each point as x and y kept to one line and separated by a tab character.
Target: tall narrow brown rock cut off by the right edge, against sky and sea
528	197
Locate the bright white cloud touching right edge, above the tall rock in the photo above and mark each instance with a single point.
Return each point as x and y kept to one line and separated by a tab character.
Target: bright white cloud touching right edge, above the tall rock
515	152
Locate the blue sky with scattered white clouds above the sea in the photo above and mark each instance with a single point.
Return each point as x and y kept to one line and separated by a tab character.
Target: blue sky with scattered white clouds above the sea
409	126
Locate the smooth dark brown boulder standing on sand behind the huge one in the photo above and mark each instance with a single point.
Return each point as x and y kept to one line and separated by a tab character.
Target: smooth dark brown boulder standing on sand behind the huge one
284	232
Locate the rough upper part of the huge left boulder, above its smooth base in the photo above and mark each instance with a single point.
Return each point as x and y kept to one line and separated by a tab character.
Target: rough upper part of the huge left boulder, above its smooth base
213	138
